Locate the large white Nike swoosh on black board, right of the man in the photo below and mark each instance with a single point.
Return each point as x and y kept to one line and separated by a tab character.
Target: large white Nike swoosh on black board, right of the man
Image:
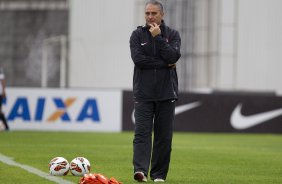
240	122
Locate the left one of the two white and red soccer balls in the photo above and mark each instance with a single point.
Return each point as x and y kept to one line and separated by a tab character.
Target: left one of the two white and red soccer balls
59	166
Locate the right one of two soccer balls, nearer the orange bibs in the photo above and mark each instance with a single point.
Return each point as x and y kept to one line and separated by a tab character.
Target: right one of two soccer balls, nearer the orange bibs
80	166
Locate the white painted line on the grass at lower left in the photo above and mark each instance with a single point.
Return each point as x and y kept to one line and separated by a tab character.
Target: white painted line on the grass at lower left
33	170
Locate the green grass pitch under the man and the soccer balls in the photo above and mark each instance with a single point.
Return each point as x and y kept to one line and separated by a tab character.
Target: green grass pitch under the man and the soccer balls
197	158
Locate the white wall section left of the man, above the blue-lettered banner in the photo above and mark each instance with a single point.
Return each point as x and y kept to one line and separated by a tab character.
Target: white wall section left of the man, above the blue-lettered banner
99	43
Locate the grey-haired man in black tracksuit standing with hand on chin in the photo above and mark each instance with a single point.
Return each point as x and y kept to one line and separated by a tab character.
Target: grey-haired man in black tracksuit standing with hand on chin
155	49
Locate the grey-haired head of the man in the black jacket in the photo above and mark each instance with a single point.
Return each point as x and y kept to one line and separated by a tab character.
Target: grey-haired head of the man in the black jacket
153	14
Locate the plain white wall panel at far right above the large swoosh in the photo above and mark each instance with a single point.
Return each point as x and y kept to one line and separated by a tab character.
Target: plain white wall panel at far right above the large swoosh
259	45
